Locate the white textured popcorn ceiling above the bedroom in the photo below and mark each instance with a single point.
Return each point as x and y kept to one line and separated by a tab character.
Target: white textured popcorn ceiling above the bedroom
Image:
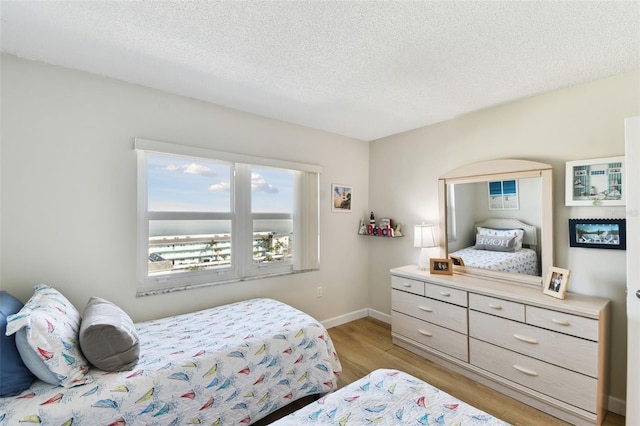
365	69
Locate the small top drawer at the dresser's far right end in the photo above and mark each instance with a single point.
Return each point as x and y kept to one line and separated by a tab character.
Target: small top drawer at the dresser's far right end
574	325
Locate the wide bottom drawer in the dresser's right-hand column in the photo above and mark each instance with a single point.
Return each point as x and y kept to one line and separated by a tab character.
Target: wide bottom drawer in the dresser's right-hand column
564	385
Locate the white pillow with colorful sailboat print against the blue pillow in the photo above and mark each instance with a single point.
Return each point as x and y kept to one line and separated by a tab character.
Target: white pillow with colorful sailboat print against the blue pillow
47	338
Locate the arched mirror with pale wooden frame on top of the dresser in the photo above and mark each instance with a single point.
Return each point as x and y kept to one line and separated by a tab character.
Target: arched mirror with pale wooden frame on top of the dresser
518	198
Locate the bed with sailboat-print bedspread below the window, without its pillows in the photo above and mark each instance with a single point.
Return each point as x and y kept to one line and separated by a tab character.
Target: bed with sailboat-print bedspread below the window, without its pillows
232	364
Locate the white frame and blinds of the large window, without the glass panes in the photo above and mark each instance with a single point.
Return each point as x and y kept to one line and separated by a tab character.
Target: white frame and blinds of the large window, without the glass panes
305	220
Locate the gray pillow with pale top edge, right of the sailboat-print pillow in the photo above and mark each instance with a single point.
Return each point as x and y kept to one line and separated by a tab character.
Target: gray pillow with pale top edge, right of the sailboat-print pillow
108	337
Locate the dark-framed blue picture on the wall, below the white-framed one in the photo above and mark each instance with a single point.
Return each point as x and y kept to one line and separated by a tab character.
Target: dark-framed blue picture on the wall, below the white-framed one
598	233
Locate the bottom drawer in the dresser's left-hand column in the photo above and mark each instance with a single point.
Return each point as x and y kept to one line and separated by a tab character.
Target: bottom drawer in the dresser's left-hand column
442	339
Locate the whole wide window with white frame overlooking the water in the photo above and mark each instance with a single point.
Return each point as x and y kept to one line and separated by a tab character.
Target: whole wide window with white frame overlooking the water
208	217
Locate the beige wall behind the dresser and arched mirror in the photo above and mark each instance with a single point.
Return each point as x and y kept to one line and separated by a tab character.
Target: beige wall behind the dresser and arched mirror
580	122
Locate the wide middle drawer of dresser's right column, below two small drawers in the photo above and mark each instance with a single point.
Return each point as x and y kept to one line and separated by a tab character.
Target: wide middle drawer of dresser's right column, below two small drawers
570	352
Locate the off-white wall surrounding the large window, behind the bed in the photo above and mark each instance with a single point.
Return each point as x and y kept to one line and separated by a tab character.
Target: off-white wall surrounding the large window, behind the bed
69	190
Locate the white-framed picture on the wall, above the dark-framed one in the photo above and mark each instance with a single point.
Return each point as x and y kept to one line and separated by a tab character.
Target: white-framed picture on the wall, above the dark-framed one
597	182
